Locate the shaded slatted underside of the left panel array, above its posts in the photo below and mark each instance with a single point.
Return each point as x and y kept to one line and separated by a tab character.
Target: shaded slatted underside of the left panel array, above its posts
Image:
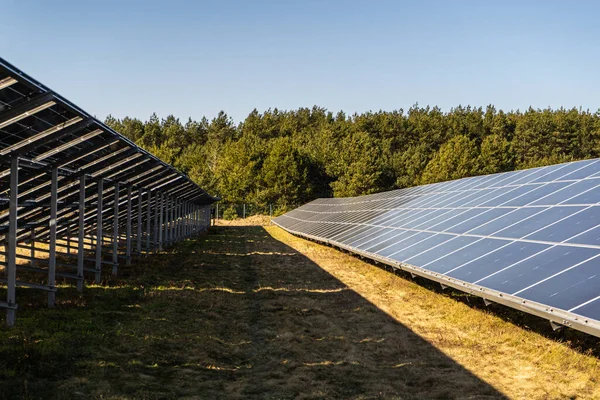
46	131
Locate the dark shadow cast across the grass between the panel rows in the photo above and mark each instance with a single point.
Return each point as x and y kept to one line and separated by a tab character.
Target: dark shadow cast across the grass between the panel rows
233	313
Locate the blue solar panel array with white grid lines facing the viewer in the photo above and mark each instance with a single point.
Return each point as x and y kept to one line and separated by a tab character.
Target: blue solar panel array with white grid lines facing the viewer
528	239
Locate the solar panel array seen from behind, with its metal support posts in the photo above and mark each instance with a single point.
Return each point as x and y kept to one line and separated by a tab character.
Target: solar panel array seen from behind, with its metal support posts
65	176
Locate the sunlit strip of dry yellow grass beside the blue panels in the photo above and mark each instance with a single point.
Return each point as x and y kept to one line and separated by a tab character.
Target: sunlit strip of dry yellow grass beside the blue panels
518	362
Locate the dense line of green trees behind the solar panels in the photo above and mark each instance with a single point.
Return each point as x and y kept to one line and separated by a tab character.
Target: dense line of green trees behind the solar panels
291	157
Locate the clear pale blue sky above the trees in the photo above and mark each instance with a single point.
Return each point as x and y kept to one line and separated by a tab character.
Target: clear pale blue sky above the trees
194	58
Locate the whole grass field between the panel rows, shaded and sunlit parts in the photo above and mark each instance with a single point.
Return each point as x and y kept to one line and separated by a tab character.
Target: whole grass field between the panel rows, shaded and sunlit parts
253	312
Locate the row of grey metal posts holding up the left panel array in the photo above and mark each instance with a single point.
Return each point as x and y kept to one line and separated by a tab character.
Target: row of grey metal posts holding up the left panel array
174	220
